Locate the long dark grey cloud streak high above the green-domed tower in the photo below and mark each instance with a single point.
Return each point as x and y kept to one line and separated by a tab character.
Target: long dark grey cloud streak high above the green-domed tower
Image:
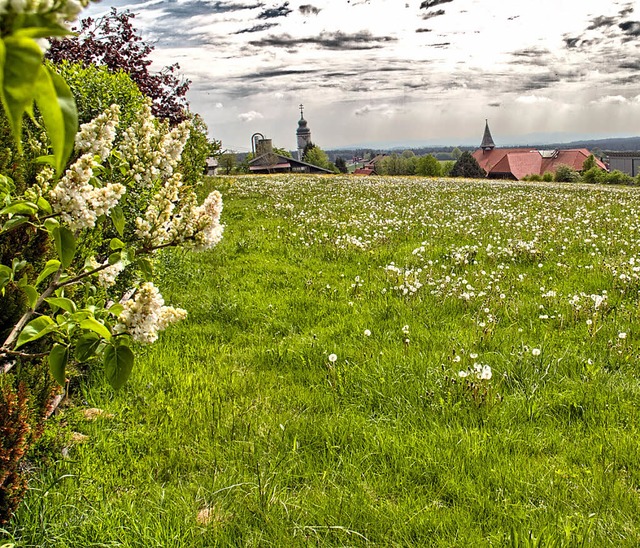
362	40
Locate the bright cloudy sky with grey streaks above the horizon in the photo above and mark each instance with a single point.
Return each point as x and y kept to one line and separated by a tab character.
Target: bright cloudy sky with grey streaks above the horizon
392	72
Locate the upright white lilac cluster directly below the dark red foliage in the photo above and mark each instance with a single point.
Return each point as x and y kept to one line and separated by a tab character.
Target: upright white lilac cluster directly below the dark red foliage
152	151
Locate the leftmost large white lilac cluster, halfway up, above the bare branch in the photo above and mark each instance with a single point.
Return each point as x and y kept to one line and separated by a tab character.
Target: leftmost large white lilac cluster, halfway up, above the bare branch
78	201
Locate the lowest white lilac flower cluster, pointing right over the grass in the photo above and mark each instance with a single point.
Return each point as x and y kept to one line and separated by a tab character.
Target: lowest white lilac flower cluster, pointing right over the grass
145	315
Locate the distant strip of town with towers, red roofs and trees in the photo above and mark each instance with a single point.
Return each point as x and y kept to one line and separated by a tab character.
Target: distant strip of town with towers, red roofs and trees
604	160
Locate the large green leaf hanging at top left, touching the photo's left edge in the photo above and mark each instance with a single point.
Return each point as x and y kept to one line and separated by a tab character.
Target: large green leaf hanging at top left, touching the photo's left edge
20	69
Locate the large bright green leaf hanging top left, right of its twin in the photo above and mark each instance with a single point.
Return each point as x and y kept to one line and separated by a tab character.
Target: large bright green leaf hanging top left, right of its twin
58	109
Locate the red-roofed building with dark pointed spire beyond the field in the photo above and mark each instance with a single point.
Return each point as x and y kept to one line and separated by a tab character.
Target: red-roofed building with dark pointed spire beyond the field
516	163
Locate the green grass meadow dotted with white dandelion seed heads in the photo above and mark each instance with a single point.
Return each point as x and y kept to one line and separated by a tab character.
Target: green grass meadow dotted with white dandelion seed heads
384	362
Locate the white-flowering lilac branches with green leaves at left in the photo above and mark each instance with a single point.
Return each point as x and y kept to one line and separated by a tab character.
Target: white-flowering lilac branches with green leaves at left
108	183
